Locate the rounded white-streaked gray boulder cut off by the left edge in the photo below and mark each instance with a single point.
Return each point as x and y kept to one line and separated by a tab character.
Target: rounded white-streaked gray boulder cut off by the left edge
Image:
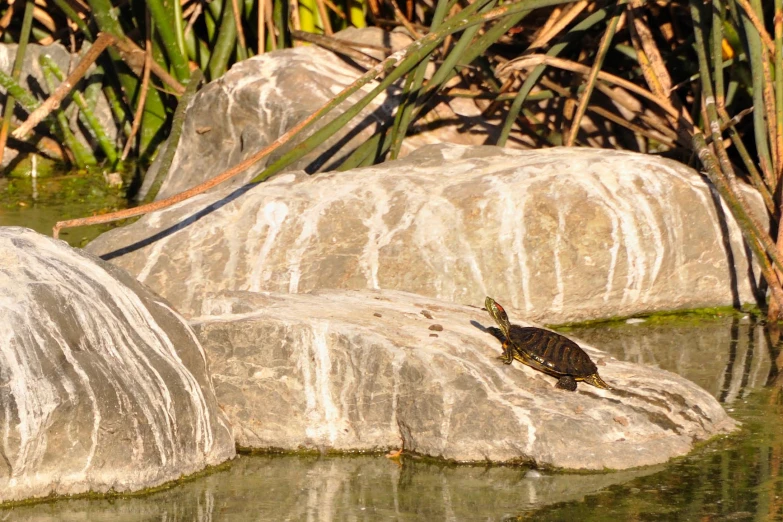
102	385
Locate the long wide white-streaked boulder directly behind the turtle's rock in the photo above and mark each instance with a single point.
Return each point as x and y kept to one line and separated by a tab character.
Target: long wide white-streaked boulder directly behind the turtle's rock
560	234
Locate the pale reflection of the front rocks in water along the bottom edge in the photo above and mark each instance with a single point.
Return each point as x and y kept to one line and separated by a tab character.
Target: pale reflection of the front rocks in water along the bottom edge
338	488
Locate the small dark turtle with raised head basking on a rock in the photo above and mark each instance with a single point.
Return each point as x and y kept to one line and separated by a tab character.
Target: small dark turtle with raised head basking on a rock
546	351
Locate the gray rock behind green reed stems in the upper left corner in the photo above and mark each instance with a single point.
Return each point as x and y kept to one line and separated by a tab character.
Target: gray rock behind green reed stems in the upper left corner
32	79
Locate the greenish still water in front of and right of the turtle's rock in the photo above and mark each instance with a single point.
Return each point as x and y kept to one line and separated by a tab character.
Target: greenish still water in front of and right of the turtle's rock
731	478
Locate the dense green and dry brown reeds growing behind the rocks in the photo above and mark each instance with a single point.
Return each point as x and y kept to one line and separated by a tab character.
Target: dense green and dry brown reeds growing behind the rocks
692	79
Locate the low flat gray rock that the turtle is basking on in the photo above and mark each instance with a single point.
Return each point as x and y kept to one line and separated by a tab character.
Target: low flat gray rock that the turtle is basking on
368	371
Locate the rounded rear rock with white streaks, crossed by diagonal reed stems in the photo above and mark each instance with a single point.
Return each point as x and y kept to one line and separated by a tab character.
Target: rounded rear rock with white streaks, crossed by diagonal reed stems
259	100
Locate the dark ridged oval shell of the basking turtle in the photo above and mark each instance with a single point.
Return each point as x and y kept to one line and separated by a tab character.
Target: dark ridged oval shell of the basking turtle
551	352
